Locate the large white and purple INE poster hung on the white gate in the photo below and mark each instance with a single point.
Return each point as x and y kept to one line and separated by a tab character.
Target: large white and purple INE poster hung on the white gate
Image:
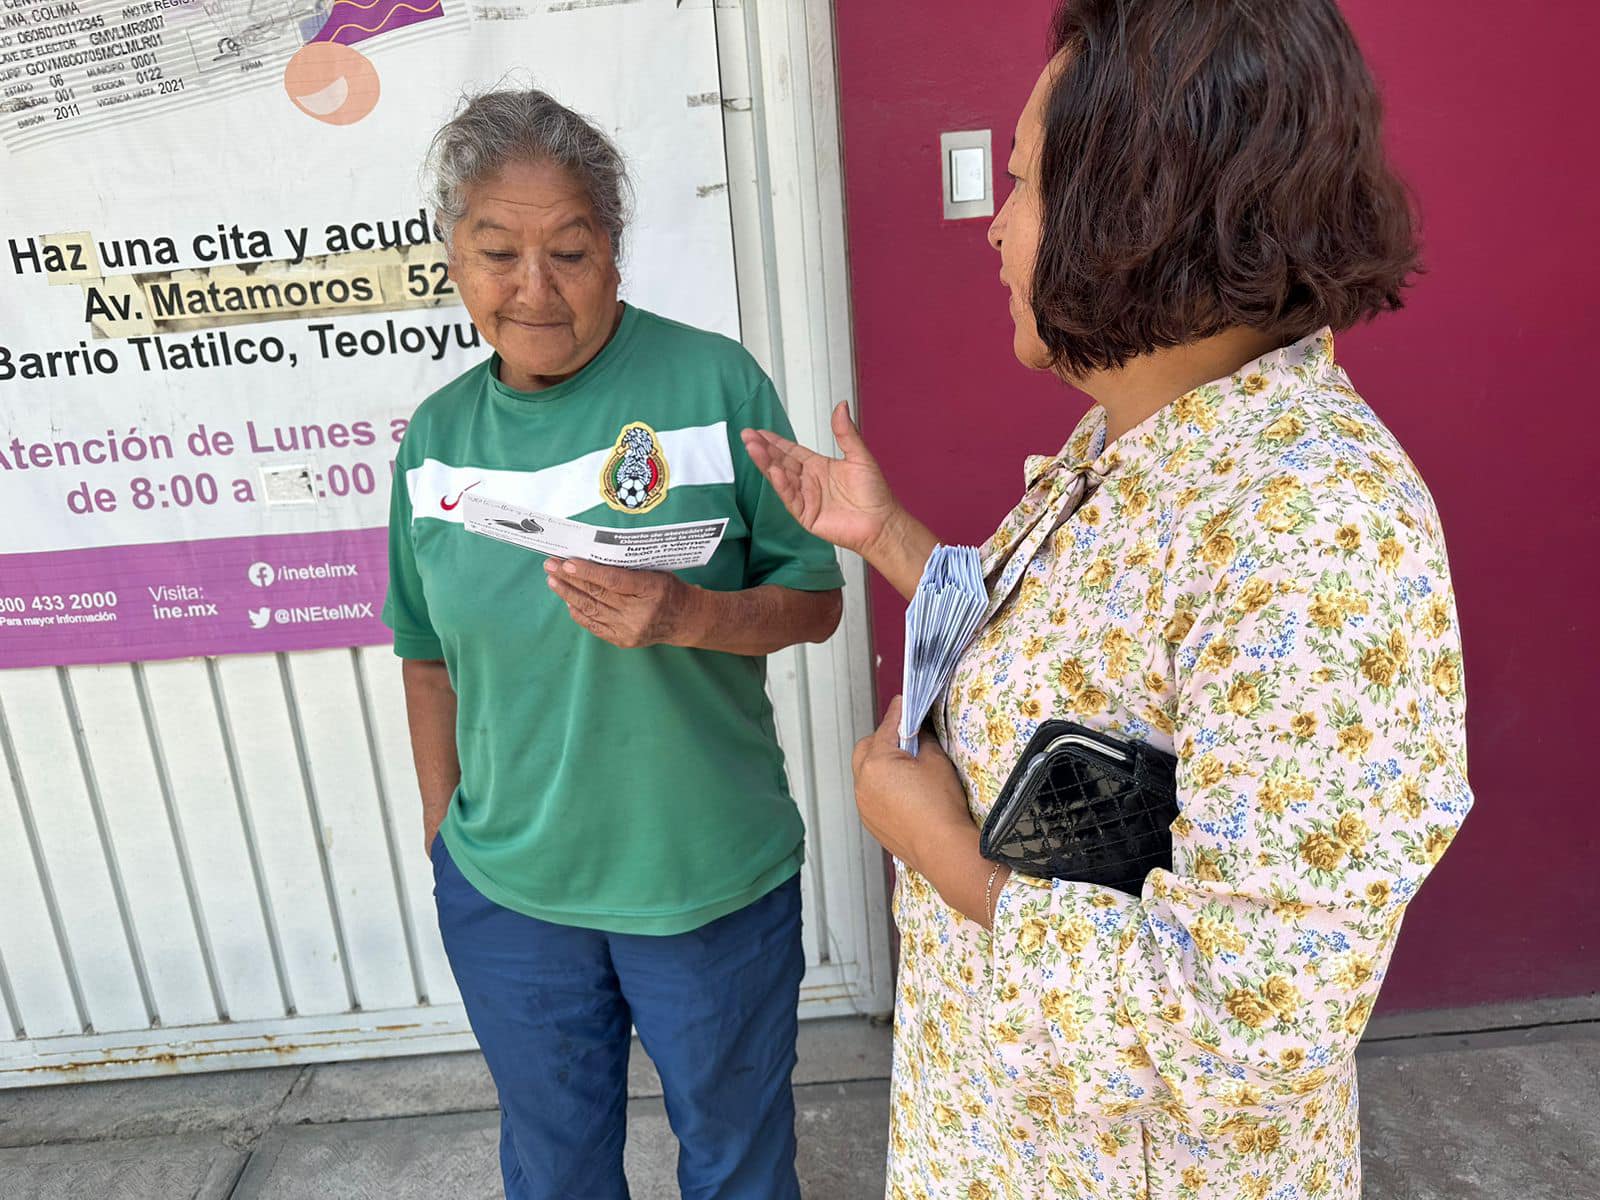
222	298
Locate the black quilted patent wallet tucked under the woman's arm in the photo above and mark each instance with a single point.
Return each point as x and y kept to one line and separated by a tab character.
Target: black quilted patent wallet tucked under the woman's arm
1084	806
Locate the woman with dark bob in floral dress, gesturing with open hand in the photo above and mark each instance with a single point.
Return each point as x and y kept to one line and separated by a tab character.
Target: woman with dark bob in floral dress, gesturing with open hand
1231	559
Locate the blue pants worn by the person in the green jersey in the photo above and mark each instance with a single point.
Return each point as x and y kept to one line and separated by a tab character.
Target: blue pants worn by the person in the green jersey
551	1007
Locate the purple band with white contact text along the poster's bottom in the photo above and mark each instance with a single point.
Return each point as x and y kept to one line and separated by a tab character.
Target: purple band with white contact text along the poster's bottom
223	596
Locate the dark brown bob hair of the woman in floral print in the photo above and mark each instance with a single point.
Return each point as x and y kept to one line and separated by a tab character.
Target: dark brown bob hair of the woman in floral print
1212	164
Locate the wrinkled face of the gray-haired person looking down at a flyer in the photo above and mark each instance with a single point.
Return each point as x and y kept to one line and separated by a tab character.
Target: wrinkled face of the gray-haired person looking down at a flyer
537	273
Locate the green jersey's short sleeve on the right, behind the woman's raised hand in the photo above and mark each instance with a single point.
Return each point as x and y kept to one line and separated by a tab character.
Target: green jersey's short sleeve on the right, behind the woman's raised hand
782	551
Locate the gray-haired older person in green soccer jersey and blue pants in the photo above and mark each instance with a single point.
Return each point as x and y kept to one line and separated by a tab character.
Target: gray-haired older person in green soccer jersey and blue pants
617	846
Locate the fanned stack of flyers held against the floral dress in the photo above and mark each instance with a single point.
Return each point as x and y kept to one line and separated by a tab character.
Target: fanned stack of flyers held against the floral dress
943	617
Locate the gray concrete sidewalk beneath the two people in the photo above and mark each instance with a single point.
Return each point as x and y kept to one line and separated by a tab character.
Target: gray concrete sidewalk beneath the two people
1474	1105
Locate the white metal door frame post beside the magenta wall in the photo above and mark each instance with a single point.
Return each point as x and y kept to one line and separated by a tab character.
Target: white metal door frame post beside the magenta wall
780	97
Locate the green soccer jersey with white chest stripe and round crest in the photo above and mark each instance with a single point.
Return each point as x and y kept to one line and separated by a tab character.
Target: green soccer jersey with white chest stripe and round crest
636	791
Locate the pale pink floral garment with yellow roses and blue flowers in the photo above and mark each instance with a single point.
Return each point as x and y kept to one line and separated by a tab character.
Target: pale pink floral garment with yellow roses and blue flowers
1254	580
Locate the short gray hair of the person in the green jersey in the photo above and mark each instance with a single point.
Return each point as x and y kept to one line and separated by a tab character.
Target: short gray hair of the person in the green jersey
498	129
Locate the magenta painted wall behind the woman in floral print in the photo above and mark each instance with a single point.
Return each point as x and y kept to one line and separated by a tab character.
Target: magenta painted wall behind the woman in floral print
1482	377
